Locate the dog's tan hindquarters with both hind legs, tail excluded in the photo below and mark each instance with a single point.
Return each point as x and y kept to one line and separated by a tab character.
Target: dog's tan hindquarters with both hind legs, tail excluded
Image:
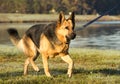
30	50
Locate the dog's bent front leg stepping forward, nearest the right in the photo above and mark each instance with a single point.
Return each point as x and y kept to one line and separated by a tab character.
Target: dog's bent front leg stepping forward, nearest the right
68	60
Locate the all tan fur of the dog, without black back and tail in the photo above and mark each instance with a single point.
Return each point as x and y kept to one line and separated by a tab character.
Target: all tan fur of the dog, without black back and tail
63	29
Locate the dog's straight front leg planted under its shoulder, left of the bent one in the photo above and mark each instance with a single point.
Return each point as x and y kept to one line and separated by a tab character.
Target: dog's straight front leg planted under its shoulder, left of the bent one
45	64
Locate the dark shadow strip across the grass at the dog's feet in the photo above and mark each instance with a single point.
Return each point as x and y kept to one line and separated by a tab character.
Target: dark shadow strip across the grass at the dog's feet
56	72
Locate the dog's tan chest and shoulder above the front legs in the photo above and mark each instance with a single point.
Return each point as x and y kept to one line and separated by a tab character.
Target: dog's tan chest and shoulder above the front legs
52	49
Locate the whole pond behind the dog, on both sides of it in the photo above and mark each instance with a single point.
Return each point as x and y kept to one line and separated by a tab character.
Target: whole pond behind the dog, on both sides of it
100	35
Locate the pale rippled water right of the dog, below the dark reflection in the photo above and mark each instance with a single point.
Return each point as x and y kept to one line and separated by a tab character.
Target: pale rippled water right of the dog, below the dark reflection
101	42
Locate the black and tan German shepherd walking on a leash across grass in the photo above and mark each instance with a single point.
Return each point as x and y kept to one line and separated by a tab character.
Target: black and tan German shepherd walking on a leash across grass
49	40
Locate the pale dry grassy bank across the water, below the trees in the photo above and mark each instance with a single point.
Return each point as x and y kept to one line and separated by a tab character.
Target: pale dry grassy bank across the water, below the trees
48	17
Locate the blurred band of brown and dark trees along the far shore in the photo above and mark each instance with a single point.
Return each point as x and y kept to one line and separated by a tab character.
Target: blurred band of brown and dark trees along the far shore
53	6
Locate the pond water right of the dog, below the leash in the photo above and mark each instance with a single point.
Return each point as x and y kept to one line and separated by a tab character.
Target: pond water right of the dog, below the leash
104	35
